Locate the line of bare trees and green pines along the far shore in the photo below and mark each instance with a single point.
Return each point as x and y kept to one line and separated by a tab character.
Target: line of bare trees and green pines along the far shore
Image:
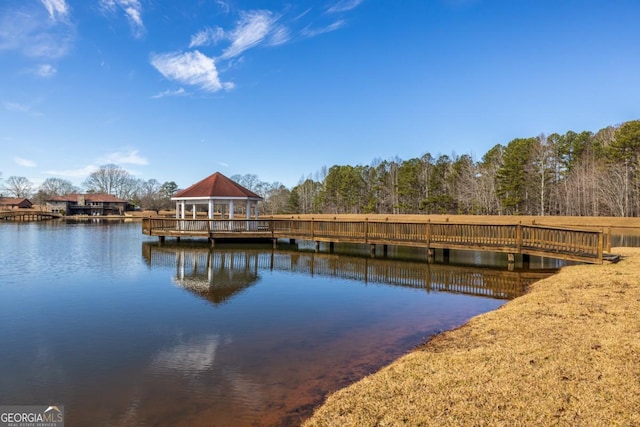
577	174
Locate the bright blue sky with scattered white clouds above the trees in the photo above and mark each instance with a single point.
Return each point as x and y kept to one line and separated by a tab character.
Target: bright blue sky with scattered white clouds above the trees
177	90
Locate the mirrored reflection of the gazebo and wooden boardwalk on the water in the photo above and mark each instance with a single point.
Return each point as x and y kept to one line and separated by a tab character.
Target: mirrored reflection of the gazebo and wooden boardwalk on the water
220	274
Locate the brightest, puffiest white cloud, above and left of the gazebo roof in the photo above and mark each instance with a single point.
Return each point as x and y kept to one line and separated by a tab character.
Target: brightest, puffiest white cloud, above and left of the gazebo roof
192	68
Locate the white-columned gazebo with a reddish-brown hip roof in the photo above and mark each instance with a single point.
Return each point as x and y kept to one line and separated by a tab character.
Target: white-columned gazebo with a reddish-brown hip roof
217	191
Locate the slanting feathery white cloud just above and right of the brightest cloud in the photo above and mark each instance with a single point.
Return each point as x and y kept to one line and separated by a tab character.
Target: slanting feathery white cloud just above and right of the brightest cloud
252	28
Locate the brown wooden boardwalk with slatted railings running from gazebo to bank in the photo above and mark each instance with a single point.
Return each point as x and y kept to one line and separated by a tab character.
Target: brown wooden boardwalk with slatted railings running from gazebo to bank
583	245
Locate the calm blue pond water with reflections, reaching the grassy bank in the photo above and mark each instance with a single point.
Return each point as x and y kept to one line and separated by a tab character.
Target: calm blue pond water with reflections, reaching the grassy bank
124	332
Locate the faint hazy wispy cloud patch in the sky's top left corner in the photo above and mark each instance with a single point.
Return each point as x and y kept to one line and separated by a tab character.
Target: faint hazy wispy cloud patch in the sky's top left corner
32	33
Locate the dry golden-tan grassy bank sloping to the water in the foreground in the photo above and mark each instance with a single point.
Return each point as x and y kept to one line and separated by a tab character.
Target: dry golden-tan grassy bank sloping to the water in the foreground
566	353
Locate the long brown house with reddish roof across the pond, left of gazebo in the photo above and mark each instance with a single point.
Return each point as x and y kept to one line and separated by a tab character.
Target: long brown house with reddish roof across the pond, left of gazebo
87	204
